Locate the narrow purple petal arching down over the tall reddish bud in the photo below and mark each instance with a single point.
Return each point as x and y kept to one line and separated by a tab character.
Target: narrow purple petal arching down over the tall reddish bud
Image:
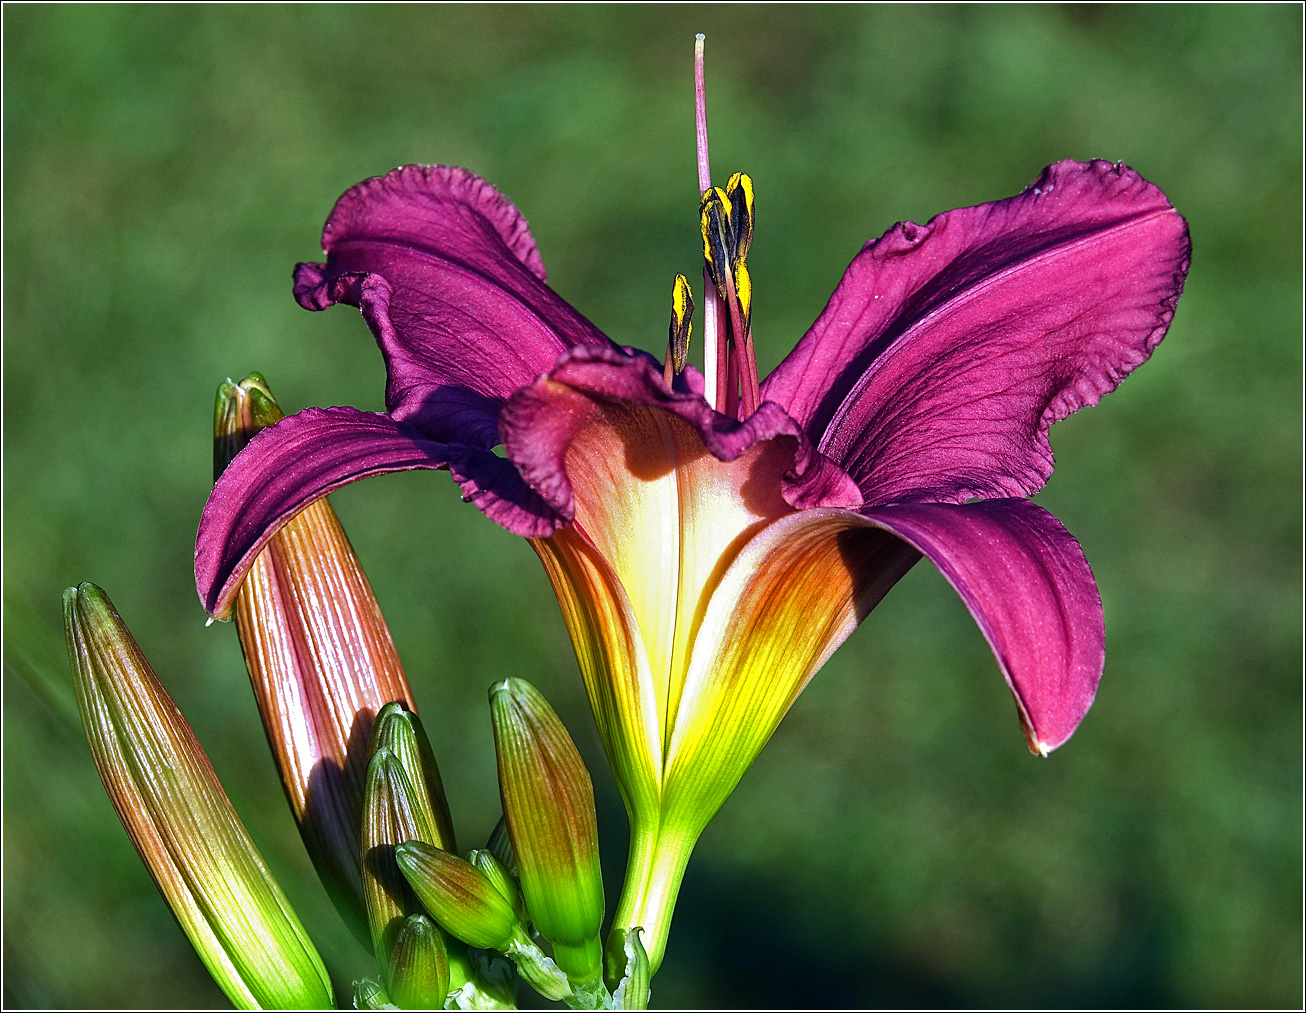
315	452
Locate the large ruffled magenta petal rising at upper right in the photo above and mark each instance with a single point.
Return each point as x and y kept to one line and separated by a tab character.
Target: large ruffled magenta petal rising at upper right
950	349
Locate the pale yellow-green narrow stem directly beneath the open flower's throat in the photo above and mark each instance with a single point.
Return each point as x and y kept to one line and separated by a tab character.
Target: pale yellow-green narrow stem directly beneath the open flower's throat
654	875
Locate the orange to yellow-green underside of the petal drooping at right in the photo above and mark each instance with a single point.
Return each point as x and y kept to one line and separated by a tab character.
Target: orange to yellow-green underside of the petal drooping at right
789	600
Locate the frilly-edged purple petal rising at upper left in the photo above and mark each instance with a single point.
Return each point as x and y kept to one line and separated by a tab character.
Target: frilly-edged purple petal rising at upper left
451	284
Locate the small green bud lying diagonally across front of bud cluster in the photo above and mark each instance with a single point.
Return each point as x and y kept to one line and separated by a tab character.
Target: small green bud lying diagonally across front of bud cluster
459	896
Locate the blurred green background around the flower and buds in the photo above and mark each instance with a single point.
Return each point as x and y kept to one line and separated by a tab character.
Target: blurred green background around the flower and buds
895	845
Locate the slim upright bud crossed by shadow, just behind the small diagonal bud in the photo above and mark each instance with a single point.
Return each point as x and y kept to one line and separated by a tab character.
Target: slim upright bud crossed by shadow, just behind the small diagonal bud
391	817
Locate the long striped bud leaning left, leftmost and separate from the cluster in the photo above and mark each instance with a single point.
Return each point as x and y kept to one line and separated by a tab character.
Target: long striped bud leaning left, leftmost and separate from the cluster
182	823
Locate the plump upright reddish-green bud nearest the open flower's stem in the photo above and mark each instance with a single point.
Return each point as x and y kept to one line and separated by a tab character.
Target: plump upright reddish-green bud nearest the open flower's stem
549	803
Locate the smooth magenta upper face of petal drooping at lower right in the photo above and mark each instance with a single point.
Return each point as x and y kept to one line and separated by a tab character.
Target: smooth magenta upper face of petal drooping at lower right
1027	584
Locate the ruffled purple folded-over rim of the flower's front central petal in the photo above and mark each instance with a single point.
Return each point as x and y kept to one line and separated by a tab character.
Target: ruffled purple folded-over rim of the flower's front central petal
540	422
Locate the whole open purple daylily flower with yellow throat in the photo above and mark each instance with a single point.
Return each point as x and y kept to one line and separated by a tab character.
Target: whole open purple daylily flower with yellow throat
711	553
